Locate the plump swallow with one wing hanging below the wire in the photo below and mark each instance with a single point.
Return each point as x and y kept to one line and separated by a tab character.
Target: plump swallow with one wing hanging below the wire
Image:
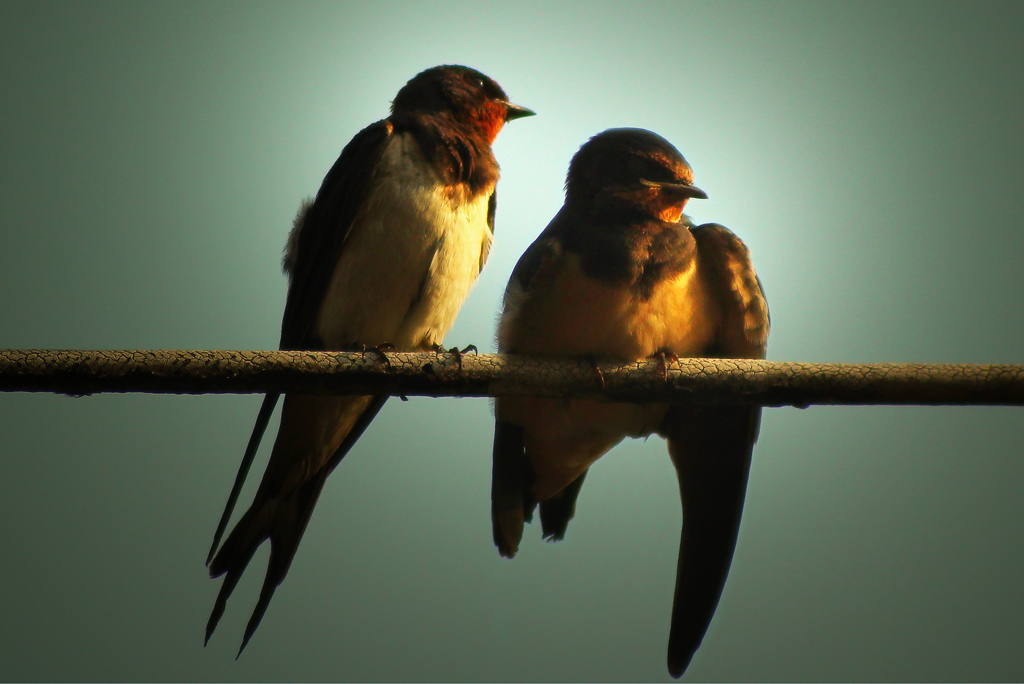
622	274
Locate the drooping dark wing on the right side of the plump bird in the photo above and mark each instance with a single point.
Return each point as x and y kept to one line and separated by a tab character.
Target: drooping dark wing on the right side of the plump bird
711	447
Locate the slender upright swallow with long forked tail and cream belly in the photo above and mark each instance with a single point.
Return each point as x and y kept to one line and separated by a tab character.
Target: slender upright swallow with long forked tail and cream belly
385	255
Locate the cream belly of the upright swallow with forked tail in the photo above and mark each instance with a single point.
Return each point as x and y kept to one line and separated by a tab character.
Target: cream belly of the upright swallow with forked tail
410	261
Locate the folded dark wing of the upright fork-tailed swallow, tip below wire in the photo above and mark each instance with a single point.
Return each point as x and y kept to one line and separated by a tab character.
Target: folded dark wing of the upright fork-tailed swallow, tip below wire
325	225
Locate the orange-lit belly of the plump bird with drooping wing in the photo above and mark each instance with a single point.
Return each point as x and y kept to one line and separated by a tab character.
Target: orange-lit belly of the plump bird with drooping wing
577	316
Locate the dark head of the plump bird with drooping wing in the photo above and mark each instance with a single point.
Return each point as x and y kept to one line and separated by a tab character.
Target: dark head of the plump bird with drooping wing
634	167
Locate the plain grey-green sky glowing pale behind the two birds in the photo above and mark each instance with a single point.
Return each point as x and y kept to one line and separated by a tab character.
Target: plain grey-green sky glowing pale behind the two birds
870	155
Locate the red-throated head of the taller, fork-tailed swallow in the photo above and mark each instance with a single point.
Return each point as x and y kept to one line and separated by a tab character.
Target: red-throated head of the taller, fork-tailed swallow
464	95
